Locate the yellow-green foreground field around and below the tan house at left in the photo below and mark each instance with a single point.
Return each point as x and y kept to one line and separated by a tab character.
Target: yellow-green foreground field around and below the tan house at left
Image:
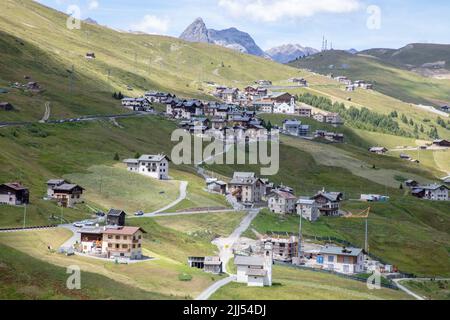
169	249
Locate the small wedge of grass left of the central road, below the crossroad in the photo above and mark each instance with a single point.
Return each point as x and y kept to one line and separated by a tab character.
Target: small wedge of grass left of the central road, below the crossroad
207	226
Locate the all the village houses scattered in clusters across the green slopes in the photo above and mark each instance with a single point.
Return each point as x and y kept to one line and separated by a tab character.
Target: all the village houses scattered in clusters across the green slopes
110	238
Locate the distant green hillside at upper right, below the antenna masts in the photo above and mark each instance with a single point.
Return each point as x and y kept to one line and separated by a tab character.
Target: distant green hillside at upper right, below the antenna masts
387	78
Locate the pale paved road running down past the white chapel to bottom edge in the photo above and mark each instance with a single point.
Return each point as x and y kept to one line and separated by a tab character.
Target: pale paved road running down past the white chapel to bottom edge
225	246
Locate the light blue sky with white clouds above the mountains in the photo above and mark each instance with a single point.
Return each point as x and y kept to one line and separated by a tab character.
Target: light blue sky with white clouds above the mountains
359	24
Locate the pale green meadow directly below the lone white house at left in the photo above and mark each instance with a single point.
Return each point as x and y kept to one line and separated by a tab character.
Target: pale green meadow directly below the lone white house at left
115	187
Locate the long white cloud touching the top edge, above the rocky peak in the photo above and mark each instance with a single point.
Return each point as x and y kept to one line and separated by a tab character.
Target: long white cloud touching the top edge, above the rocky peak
276	10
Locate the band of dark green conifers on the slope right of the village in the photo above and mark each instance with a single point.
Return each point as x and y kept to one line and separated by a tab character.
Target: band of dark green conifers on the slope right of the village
360	118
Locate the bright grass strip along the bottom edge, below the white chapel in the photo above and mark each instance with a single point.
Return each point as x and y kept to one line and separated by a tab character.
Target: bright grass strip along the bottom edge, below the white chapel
293	284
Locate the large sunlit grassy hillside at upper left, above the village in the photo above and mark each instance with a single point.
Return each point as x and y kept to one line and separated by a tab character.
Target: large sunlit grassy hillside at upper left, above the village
35	42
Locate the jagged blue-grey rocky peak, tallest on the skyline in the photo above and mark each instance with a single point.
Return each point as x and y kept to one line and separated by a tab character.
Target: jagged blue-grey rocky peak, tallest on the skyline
231	38
